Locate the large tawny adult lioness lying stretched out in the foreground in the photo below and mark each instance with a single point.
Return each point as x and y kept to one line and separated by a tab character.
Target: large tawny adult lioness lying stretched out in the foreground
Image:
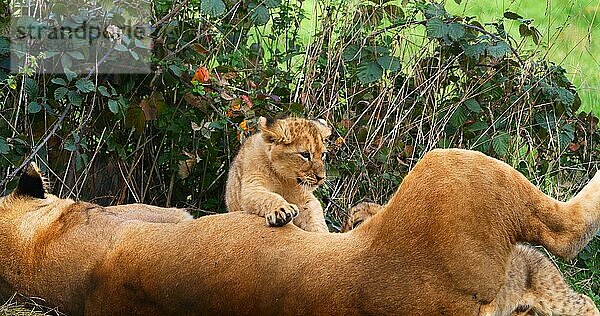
440	246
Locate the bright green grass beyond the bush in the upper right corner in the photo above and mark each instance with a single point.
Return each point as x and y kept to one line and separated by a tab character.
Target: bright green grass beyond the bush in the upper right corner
571	36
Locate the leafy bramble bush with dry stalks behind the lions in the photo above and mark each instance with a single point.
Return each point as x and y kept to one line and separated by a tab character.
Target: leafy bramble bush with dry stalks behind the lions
395	80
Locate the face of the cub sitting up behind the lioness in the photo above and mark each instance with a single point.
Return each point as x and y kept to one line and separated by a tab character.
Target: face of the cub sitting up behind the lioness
297	149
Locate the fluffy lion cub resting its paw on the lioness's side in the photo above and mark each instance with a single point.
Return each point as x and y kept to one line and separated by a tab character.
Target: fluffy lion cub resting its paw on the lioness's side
276	171
